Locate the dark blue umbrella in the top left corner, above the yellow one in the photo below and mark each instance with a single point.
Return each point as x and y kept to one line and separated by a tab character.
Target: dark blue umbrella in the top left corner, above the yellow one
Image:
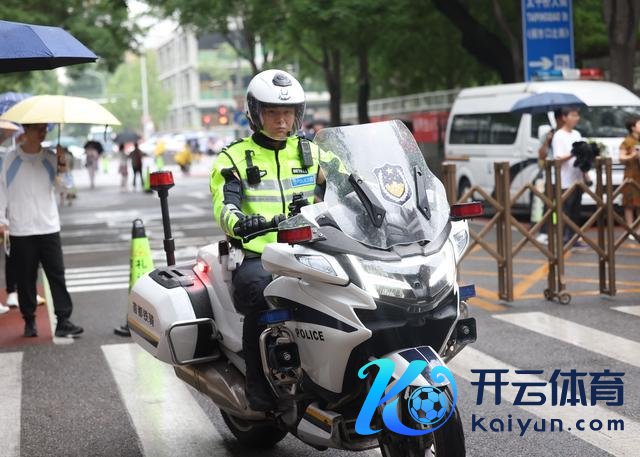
25	47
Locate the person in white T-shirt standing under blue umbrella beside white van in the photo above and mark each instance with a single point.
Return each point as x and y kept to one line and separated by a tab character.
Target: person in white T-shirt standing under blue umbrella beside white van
562	144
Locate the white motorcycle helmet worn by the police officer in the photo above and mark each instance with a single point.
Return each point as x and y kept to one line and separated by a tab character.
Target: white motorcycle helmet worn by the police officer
274	88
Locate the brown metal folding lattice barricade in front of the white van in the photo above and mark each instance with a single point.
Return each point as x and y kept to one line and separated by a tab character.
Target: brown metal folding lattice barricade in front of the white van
555	218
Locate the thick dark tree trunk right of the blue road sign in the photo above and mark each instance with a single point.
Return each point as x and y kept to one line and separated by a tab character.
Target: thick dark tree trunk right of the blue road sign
621	17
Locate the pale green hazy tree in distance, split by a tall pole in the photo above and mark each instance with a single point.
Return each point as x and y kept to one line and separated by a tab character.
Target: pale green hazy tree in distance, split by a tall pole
124	92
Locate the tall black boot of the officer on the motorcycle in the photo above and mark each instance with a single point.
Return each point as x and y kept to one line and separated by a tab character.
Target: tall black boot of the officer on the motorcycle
259	393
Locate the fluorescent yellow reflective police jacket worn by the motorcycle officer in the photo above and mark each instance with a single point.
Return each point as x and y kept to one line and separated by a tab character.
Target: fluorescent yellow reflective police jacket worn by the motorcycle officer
282	174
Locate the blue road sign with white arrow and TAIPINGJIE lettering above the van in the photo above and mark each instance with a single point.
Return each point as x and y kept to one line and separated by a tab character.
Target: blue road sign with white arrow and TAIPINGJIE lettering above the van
547	32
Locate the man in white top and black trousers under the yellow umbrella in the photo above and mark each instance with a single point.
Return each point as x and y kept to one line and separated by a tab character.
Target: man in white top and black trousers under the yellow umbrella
29	184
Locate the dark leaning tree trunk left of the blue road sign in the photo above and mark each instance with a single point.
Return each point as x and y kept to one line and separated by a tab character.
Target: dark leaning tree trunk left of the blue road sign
480	42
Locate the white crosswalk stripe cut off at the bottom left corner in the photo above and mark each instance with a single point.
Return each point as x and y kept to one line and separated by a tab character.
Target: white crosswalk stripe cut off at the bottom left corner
10	403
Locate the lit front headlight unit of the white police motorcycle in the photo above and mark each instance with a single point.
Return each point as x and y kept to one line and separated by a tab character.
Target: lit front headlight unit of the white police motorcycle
414	278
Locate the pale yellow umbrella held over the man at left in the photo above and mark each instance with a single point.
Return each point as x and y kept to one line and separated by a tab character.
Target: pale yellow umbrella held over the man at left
59	109
